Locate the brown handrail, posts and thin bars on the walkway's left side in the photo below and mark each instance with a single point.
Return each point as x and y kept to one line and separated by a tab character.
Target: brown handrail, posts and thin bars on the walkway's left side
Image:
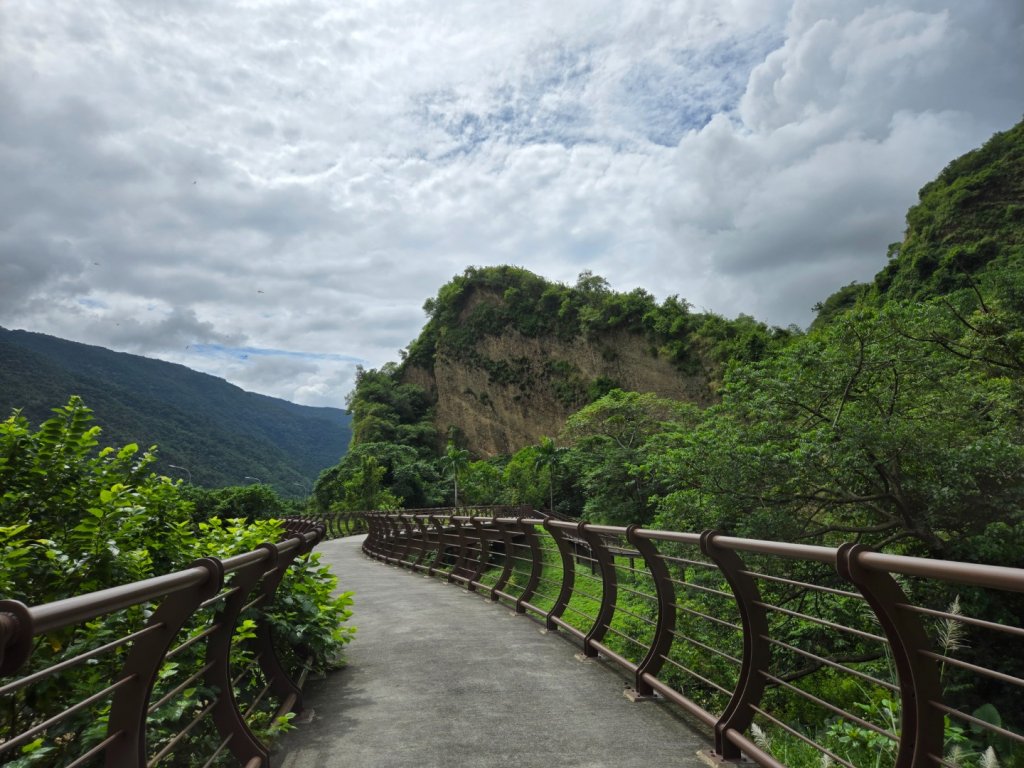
176	601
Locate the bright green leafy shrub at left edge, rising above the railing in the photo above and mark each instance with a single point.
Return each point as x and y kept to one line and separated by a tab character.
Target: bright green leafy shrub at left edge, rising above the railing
91	520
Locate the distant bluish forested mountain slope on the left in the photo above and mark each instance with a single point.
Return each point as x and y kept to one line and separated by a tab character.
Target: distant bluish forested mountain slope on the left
223	435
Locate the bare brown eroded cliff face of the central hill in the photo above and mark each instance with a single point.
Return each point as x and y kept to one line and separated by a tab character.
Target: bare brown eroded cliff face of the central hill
516	390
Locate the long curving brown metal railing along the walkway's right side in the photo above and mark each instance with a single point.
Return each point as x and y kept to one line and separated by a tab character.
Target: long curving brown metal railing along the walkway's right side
765	644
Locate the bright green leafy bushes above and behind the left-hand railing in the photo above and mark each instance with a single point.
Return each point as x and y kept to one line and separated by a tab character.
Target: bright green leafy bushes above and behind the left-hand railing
76	519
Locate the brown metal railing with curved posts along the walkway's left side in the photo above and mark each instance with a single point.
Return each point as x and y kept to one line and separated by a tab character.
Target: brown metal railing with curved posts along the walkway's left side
191	616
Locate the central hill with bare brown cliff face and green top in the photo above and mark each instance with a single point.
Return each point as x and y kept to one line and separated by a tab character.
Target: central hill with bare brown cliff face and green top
506	357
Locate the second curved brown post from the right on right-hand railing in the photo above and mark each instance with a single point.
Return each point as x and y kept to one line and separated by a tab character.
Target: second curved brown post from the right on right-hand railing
739	713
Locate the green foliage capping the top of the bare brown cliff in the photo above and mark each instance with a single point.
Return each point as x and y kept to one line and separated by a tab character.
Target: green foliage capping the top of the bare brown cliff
492	302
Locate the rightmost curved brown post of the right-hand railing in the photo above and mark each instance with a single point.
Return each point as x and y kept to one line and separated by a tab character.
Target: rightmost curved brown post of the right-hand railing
922	728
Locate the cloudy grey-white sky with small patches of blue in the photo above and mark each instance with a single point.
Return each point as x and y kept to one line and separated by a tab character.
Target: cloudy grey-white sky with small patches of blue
270	191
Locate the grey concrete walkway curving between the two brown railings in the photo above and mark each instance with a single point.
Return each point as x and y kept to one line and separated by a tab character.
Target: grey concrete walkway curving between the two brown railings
439	676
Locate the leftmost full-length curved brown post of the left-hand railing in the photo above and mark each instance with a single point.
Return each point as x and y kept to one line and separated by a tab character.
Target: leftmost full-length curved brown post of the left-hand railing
131	704
